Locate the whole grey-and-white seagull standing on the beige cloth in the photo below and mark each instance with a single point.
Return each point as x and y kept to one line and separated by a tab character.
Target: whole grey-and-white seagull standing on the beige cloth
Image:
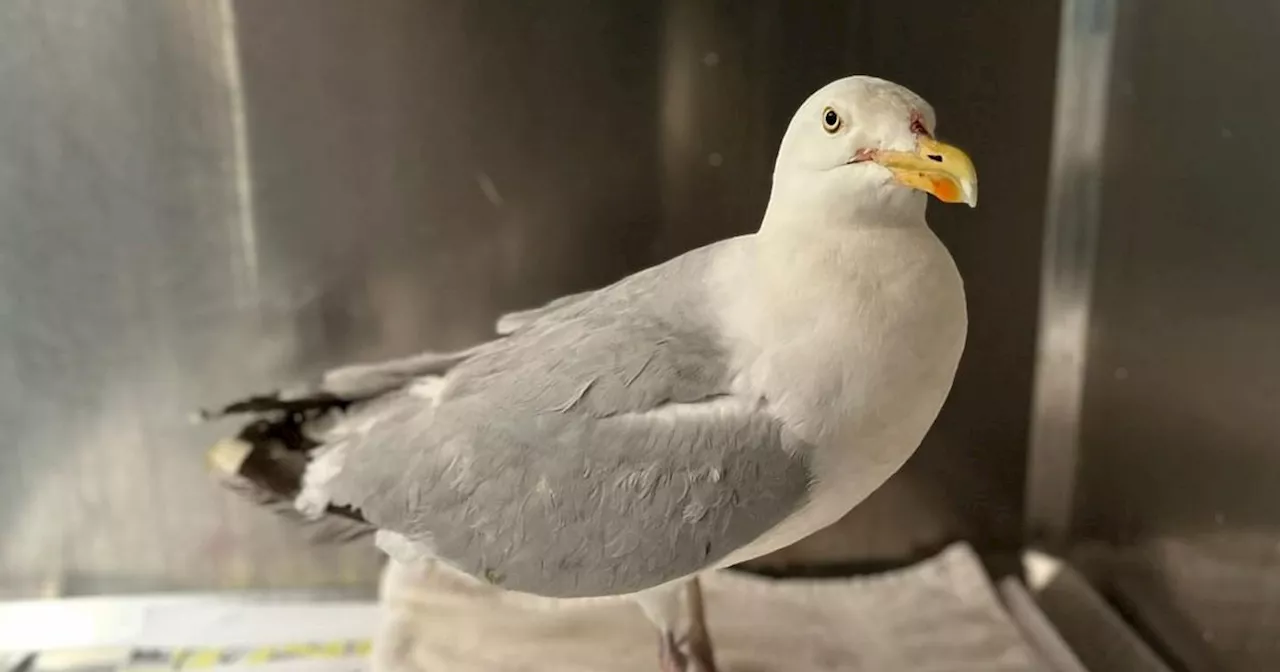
706	412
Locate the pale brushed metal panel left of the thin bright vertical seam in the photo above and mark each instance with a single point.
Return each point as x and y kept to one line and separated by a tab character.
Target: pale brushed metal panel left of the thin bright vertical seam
130	292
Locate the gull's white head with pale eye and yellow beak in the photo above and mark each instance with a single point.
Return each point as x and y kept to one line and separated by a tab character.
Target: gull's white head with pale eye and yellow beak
863	140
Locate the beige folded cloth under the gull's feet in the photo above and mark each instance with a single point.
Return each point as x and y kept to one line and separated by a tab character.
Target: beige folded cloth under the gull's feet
940	615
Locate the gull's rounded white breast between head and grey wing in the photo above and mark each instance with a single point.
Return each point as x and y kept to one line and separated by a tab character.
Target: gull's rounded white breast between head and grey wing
854	341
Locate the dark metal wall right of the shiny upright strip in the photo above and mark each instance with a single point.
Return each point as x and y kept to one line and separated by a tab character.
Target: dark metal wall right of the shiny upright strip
1176	499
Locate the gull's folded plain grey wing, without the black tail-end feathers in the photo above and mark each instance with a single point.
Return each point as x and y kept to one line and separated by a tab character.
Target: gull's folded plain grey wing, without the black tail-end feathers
598	454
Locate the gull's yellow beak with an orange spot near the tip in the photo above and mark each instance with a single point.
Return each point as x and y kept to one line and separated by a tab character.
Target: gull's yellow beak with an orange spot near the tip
935	168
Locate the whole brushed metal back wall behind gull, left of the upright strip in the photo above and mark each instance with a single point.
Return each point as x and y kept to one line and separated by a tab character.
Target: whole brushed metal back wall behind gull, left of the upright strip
202	199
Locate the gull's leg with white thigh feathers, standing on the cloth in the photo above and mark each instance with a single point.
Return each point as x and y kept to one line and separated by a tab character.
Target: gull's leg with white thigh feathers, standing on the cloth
678	611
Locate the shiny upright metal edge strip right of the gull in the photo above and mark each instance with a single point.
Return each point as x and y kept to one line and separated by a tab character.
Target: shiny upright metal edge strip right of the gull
1067	266
